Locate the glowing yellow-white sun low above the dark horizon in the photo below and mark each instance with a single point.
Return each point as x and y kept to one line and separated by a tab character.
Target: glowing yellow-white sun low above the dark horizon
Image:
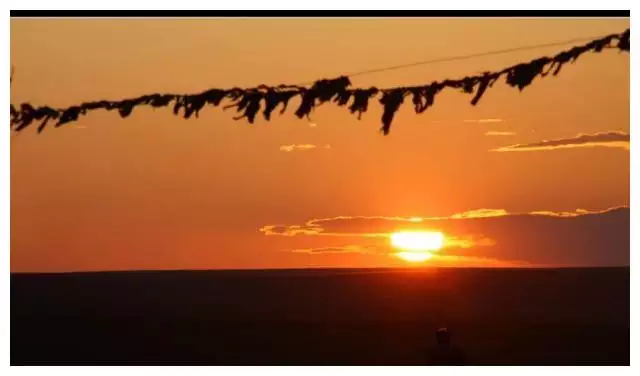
417	246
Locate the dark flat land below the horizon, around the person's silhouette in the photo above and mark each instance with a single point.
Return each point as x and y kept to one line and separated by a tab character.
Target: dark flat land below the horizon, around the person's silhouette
320	317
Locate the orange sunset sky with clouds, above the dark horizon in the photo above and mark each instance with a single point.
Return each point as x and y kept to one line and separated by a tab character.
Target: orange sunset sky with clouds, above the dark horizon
532	178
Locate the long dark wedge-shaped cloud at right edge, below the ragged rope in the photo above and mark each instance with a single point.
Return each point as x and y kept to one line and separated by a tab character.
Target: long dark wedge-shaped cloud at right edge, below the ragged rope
604	139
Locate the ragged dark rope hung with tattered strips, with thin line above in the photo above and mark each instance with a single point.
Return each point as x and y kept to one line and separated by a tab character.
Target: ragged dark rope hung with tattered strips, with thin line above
248	101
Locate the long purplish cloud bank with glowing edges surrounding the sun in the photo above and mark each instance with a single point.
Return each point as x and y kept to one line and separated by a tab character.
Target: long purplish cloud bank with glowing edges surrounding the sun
561	238
